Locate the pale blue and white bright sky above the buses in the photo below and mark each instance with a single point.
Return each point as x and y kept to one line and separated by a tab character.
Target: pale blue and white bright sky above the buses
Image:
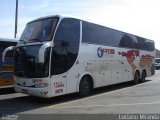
139	17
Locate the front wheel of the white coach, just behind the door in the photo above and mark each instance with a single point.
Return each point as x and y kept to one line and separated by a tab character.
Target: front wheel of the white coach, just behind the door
85	86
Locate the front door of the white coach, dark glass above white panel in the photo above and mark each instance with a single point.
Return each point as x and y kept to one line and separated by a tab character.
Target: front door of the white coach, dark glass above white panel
59	71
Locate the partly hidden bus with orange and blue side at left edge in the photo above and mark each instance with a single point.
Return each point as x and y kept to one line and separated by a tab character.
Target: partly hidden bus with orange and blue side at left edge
6	68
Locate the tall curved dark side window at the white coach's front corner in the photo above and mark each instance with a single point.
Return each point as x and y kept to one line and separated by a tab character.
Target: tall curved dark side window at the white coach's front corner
66	46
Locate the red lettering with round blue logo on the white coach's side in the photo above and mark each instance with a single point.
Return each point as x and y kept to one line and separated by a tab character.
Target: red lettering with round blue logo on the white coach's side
101	51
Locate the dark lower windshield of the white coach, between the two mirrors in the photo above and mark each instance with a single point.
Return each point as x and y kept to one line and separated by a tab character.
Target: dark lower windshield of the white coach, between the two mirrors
27	64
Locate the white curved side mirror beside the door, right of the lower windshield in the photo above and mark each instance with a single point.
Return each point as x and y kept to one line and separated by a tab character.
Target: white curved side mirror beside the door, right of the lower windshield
42	51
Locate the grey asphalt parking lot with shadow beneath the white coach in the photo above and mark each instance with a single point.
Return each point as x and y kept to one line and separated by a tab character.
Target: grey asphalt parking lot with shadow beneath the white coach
123	98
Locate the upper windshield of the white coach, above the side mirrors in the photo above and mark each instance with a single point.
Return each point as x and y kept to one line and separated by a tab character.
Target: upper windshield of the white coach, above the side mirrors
40	30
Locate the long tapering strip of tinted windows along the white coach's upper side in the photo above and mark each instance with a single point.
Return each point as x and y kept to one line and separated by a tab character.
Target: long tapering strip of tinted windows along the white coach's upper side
96	34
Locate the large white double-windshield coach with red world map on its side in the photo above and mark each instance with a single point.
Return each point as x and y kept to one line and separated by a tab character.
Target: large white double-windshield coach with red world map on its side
59	55
